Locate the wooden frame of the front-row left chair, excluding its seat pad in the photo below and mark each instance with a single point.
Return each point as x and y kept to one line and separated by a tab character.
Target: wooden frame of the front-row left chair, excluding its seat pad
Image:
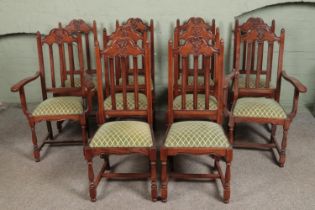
121	47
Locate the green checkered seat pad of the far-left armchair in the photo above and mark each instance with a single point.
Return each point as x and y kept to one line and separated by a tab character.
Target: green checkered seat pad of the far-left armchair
64	105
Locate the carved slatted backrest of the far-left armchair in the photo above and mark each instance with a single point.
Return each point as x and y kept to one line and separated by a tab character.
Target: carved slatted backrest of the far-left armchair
60	46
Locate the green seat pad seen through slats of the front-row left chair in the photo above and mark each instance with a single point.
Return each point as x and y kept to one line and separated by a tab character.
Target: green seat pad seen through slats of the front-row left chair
130	101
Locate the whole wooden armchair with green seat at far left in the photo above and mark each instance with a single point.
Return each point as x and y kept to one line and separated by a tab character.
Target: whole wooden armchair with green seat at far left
67	103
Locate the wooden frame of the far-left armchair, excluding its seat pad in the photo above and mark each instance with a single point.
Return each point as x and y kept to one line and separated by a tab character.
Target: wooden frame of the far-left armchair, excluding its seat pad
60	37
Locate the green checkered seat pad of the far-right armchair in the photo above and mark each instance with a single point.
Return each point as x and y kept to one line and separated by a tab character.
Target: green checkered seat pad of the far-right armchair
258	107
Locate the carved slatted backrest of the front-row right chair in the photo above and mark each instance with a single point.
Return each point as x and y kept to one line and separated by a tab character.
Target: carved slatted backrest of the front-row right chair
197	50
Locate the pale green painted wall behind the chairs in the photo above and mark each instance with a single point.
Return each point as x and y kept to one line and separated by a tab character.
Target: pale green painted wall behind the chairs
18	56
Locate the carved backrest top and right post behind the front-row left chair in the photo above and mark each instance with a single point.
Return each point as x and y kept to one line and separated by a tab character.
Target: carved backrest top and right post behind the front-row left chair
145	29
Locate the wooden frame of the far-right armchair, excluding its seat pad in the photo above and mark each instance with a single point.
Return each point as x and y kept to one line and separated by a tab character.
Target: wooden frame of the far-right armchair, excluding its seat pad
256	31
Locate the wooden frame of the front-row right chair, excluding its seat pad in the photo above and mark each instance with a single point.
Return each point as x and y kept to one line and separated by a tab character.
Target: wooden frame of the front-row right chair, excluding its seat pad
197	46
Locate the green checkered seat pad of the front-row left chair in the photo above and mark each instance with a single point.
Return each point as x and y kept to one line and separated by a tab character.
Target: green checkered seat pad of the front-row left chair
123	134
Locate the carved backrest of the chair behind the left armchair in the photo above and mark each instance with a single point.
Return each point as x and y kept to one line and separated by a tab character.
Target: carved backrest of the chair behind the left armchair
76	26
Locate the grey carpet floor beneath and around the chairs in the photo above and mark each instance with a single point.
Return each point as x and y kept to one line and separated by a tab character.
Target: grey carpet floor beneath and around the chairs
59	180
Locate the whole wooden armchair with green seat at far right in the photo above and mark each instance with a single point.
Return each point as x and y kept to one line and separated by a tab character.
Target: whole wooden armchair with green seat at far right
255	98
